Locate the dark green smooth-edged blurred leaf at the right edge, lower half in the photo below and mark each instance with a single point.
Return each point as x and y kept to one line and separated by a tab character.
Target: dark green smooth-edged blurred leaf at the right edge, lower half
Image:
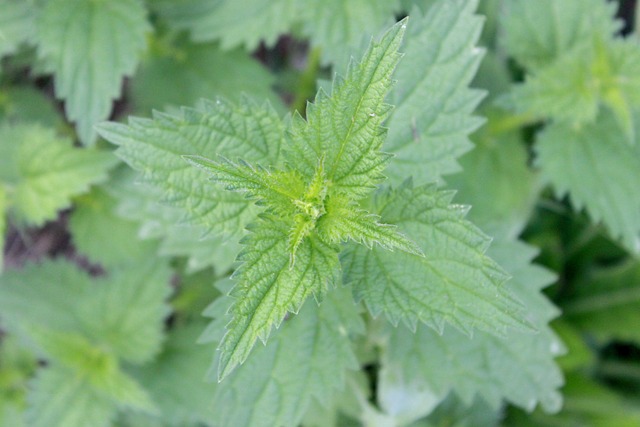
606	304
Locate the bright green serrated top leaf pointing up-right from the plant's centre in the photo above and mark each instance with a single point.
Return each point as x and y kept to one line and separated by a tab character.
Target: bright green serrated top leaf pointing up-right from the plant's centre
344	129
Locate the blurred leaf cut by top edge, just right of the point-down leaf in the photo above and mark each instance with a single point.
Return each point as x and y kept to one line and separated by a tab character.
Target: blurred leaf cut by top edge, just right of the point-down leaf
262	20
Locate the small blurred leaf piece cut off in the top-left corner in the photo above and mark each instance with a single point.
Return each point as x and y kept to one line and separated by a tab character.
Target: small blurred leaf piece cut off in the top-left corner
16	24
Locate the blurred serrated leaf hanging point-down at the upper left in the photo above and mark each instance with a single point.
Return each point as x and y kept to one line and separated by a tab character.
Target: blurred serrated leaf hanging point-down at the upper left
89	47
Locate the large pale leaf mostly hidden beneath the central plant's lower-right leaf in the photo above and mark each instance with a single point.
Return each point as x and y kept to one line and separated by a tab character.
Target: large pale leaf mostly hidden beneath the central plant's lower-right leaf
518	367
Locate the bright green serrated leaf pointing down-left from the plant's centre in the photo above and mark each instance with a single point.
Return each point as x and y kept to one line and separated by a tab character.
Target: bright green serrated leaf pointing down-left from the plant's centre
268	286
